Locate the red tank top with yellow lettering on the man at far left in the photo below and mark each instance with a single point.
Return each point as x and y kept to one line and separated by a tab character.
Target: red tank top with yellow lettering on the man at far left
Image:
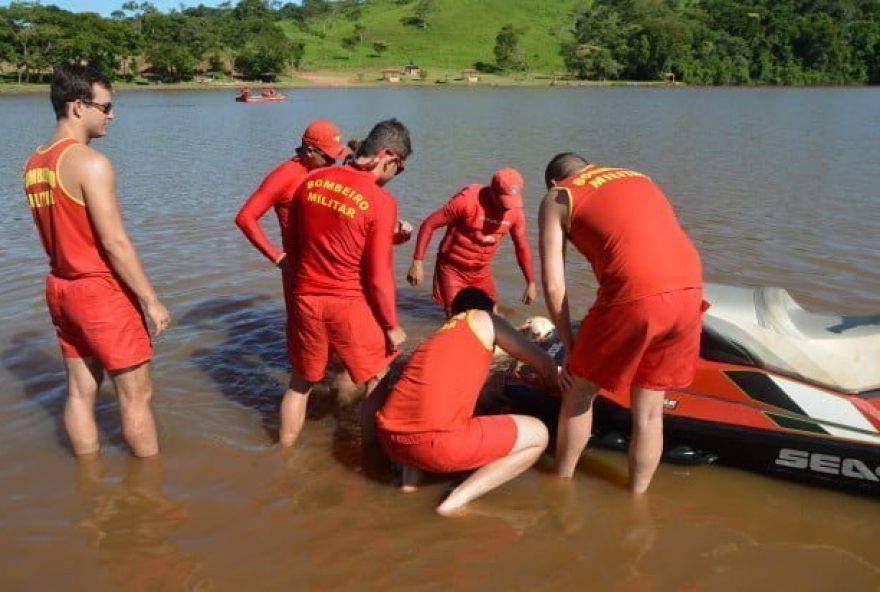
62	219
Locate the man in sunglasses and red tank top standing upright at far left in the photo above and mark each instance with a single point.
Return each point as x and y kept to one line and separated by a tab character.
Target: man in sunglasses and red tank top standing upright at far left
96	285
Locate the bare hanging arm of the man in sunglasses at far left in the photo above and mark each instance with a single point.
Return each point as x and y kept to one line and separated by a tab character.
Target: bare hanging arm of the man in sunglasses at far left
98	184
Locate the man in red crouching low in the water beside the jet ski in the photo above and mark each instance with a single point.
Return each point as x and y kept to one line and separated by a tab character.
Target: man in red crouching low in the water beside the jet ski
428	423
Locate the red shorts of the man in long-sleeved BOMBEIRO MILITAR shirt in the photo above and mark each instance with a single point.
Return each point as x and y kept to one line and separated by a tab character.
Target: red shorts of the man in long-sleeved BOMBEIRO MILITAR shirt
321	325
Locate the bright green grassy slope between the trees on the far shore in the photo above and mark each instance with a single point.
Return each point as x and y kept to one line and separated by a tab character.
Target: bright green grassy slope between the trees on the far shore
459	33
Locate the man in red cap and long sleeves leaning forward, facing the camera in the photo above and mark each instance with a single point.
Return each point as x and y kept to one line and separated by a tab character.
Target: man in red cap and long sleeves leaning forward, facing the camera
477	218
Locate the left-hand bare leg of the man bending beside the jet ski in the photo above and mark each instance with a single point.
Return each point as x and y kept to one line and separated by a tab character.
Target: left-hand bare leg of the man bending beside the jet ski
575	425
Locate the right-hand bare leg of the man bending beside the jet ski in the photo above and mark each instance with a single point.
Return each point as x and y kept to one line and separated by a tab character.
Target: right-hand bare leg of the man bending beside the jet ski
646	444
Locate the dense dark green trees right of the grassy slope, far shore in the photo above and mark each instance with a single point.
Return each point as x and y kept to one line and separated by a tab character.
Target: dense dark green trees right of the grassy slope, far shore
728	41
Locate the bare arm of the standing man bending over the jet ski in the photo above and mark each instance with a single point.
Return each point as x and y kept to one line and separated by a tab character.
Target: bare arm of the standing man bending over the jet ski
553	230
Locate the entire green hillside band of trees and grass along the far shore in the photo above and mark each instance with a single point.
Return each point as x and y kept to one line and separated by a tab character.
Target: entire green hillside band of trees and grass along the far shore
695	41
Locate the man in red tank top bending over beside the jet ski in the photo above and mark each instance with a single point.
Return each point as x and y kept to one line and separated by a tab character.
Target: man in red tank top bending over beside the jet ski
643	331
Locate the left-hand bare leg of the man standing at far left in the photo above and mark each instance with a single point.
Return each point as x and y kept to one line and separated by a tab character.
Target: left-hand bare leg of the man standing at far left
83	380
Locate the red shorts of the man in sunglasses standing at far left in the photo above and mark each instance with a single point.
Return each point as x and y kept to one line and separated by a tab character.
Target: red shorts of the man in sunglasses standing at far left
97	317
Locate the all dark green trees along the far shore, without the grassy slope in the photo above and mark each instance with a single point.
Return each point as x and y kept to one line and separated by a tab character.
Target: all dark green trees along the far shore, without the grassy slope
694	41
